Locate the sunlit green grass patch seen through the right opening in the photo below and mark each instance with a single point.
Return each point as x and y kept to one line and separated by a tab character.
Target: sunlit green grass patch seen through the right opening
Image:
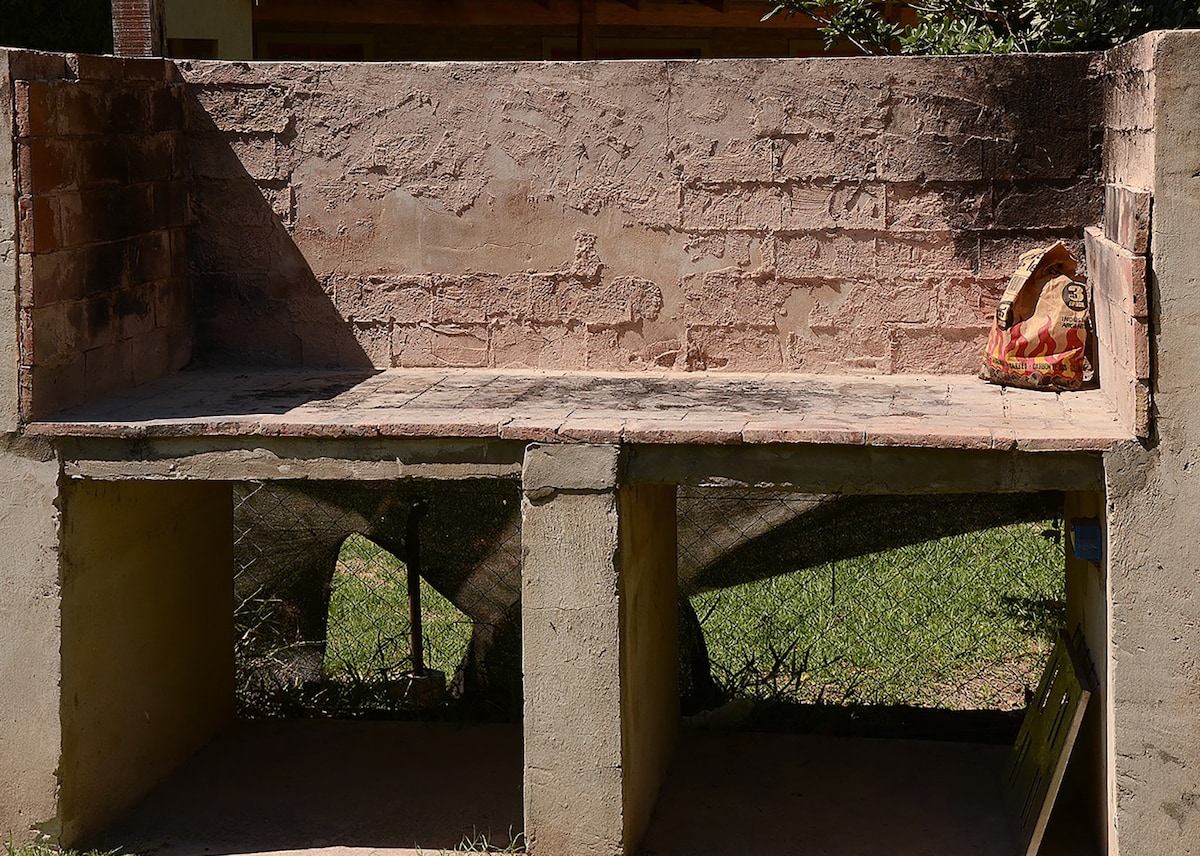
962	622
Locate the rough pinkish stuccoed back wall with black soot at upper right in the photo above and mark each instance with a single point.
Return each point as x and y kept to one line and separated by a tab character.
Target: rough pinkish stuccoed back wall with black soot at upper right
809	216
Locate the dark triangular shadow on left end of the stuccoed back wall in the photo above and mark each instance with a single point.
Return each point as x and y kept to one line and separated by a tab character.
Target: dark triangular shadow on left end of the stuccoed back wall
257	300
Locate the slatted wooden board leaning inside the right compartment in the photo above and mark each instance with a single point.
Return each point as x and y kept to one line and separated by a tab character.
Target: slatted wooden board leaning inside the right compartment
1043	747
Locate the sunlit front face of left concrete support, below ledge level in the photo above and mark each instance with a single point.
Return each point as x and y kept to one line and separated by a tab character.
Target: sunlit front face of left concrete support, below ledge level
29	638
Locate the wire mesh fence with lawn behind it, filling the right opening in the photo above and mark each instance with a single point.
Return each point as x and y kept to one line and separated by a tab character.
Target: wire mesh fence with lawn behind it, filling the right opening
947	602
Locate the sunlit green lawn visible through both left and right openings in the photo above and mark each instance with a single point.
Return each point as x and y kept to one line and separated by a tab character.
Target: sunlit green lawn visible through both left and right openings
961	624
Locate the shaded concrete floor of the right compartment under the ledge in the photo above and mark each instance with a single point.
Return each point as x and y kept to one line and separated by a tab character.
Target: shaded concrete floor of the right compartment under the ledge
800	795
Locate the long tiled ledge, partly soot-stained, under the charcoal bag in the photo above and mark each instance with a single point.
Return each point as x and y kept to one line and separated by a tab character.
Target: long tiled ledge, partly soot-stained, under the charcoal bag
952	412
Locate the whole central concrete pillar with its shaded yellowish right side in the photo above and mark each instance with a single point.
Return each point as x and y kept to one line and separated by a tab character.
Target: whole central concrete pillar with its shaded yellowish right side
601	650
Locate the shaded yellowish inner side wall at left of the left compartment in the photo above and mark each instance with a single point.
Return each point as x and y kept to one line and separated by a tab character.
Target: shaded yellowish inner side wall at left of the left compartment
147	639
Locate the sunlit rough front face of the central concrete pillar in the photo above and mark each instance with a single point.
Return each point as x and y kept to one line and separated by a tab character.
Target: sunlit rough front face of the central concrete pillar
571	622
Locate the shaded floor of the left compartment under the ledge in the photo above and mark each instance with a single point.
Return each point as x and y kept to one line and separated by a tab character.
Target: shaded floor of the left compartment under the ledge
334	788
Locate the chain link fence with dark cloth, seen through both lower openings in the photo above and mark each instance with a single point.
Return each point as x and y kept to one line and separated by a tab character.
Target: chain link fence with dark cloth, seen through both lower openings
943	602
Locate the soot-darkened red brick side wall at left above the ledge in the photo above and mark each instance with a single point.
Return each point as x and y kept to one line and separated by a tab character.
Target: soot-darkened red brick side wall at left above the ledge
105	302
